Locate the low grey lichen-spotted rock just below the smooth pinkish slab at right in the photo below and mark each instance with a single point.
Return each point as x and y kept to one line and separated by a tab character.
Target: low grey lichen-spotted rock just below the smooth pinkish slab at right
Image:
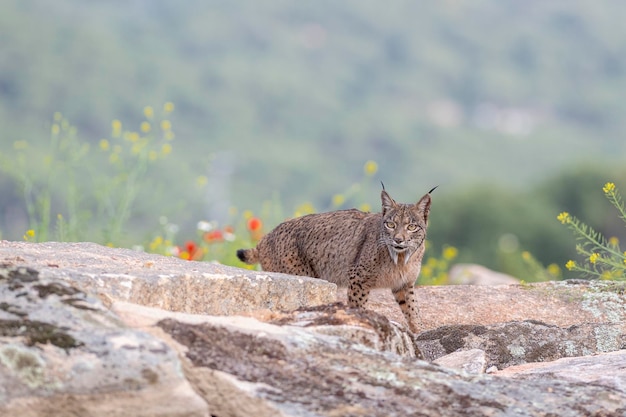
514	343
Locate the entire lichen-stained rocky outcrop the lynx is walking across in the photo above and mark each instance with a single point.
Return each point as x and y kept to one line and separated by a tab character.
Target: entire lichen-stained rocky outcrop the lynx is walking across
142	352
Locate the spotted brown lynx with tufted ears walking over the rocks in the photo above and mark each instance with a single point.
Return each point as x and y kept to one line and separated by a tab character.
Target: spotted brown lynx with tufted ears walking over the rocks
353	249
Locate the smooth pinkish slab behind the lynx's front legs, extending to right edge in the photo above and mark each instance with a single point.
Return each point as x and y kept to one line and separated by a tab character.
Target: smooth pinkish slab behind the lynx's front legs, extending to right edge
559	303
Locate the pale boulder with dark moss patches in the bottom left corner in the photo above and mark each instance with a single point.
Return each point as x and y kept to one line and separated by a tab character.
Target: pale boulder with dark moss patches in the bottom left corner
63	353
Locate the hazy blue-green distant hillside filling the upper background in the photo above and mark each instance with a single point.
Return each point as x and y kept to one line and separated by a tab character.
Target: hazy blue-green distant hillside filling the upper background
289	99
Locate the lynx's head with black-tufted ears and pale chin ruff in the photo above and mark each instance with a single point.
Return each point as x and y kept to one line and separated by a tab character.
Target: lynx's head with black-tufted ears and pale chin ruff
403	228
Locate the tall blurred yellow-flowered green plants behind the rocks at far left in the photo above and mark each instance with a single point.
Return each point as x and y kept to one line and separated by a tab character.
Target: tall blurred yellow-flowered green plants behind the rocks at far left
92	193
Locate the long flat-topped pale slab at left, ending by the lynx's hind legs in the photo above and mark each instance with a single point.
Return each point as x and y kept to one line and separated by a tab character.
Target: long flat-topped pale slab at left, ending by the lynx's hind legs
167	282
